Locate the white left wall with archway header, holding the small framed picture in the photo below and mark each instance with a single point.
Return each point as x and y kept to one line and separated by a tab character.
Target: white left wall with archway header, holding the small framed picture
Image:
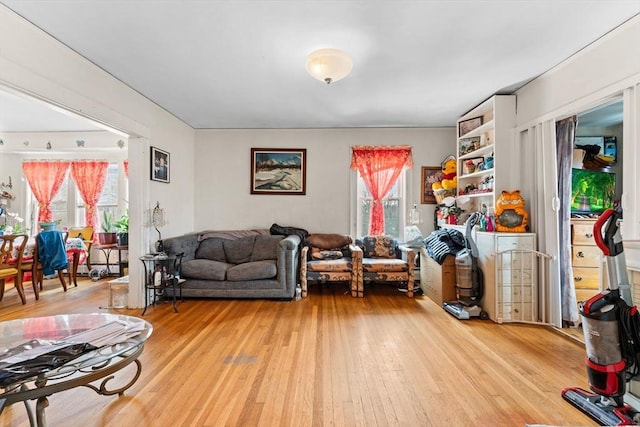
34	63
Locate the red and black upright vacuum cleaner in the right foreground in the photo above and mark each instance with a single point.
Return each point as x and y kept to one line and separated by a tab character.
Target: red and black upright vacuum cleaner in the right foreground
611	326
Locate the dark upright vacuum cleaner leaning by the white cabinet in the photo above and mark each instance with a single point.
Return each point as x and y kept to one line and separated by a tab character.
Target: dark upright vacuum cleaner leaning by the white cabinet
469	278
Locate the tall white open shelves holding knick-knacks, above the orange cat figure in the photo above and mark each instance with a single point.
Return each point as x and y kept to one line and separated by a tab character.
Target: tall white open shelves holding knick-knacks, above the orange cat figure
484	152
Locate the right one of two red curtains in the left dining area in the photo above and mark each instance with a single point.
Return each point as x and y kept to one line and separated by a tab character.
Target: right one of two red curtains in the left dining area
90	176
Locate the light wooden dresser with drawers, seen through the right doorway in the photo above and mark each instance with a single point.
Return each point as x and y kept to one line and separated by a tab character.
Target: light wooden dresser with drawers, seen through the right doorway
586	259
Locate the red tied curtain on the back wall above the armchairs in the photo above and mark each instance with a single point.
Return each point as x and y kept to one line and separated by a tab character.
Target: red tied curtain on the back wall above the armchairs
380	167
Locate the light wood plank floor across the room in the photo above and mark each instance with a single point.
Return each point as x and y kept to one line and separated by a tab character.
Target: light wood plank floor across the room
330	359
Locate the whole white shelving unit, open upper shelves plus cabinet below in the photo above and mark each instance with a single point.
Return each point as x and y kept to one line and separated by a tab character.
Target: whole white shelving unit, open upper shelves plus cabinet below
509	261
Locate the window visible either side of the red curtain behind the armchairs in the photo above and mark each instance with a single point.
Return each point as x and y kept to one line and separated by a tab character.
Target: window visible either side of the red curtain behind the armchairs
393	205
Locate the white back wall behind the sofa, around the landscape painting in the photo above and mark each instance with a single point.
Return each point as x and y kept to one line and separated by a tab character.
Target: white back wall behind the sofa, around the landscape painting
223	164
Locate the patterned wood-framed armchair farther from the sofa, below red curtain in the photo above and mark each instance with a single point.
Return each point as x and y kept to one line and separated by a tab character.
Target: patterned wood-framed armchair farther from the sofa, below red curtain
382	261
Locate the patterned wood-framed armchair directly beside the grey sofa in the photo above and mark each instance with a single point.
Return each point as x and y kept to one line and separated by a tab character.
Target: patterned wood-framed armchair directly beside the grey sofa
331	258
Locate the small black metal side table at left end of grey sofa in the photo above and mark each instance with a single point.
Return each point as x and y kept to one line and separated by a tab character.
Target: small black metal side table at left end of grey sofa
160	272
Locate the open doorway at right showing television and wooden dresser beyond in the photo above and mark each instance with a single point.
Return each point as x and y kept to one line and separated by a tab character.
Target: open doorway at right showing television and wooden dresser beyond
596	185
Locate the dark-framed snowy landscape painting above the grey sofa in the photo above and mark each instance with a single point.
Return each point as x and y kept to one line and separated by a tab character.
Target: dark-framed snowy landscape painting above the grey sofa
279	171
